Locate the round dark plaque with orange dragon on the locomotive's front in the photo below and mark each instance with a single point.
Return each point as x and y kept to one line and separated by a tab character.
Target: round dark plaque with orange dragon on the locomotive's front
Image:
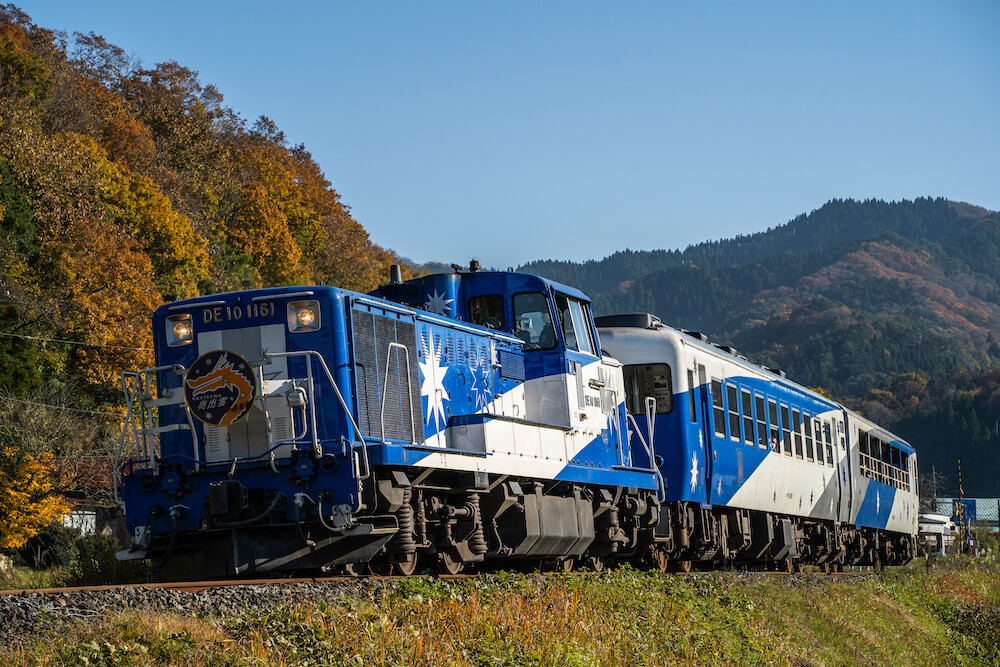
220	388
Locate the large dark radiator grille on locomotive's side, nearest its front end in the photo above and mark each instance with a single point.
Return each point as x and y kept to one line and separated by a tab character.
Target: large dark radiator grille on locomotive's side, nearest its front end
373	335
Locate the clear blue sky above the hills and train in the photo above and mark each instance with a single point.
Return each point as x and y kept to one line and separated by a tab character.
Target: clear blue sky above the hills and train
568	130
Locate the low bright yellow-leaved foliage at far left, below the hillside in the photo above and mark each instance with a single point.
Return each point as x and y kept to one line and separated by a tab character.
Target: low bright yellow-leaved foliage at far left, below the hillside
27	496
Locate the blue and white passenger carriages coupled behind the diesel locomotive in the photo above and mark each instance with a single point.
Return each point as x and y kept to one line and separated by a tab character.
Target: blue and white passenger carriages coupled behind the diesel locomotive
756	467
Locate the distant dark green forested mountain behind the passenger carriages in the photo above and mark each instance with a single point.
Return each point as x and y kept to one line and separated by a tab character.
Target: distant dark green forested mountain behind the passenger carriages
849	298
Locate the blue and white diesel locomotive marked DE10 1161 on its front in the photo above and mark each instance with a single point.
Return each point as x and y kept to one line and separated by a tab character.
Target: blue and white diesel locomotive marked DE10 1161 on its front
444	420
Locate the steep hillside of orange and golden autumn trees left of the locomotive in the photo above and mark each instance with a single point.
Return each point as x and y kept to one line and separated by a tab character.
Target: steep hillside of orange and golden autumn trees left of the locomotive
123	186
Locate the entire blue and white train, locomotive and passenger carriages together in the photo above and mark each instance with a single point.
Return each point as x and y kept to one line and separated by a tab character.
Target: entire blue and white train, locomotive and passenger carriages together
483	419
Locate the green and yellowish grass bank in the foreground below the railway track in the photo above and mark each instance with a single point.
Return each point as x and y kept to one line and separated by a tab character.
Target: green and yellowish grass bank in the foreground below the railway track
948	616
